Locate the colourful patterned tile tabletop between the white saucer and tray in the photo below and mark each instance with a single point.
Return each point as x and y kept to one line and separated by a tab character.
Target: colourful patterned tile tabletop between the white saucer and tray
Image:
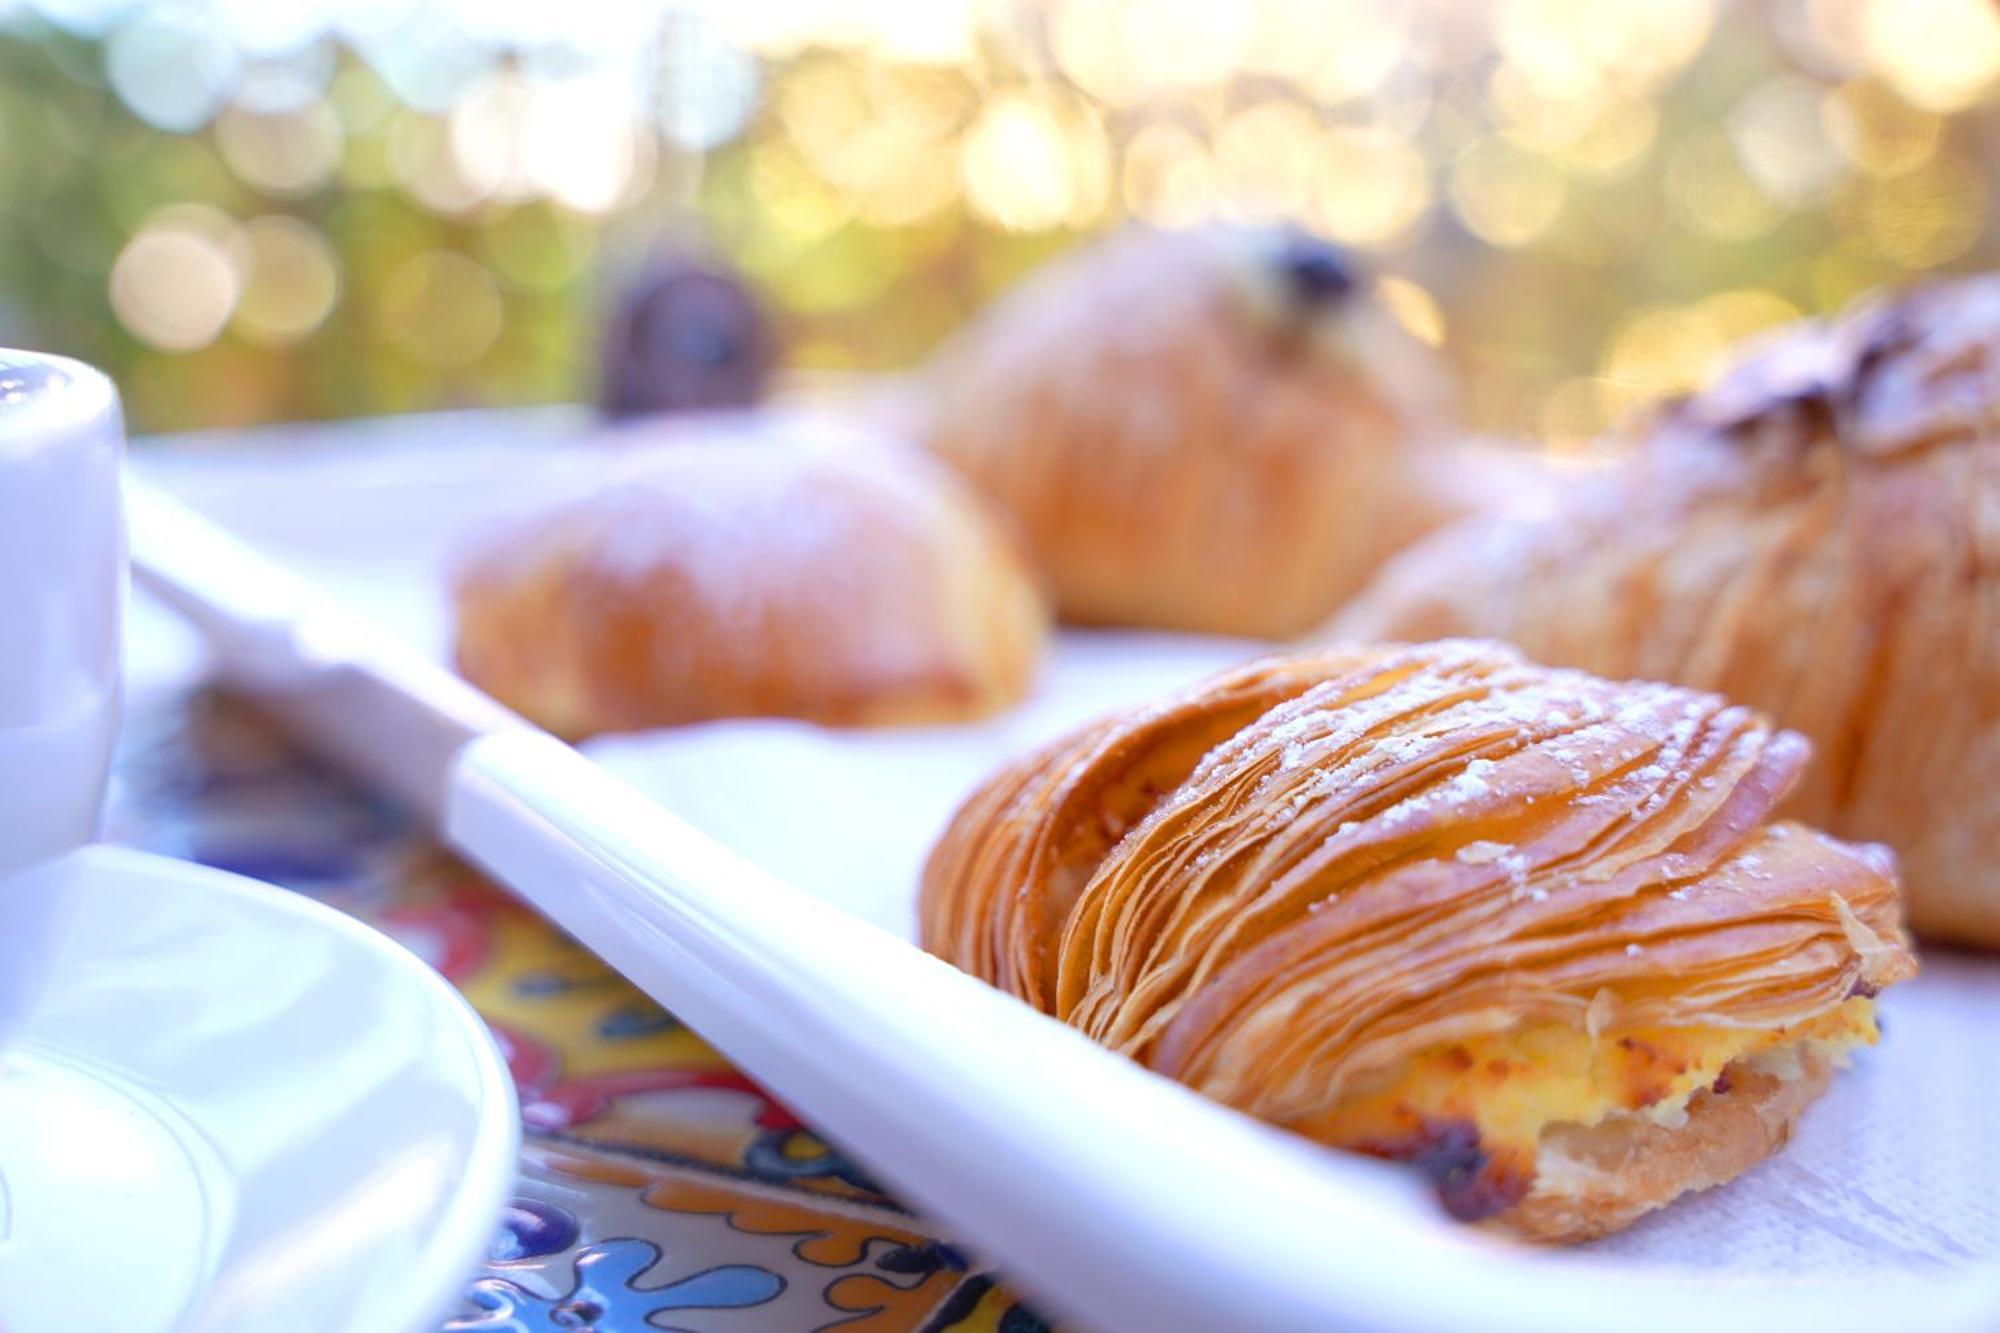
661	1188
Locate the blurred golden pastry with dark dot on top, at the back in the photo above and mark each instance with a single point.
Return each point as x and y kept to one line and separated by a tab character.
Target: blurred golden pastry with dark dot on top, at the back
1197	429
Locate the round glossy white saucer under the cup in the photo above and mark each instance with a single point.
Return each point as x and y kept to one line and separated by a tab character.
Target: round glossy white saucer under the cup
235	1110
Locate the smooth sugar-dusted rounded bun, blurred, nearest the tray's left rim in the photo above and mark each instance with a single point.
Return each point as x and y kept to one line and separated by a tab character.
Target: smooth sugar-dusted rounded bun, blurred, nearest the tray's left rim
781	571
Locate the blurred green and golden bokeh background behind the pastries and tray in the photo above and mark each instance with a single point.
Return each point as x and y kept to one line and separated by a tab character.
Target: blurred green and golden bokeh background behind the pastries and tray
257	211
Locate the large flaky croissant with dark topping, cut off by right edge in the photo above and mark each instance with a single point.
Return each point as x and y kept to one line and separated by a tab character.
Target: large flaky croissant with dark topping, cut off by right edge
1817	535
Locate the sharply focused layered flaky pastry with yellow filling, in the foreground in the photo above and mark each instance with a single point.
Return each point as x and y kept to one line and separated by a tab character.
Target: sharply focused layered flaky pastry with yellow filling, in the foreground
1529	930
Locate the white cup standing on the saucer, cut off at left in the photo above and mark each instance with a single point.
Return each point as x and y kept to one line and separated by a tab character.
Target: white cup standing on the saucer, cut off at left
63	571
